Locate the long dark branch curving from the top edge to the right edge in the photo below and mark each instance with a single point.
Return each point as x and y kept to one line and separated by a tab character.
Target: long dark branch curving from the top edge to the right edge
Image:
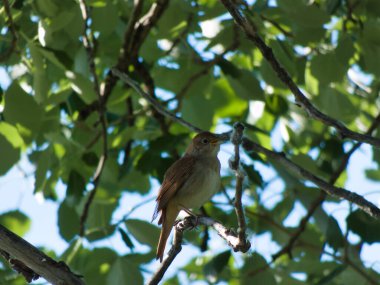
252	34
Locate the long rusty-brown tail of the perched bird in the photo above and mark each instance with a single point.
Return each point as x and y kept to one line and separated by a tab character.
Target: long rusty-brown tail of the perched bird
168	216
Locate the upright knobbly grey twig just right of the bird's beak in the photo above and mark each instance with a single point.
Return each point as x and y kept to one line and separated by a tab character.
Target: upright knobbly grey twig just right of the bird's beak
236	139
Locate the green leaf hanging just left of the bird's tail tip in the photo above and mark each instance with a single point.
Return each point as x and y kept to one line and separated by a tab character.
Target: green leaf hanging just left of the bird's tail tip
144	232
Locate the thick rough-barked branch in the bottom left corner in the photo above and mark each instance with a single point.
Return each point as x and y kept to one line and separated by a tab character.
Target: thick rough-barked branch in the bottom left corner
23	256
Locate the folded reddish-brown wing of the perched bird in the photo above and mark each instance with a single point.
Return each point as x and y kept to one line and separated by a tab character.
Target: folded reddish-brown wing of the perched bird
175	177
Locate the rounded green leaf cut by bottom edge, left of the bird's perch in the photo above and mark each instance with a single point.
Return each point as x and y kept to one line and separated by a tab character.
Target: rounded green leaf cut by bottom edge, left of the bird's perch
125	272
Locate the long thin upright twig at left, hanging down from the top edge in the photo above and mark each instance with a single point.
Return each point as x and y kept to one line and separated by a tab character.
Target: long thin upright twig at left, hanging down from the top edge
88	42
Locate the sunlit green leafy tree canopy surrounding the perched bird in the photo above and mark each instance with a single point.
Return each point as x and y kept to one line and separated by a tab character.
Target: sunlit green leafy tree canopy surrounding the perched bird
104	95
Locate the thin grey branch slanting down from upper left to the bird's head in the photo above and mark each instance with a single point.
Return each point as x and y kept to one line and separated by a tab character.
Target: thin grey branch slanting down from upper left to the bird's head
153	101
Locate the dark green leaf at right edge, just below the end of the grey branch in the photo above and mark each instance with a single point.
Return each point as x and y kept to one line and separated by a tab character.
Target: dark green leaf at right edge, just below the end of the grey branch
365	226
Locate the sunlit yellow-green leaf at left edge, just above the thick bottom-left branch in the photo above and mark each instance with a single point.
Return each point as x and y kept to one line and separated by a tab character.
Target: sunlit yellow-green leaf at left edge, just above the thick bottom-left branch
16	222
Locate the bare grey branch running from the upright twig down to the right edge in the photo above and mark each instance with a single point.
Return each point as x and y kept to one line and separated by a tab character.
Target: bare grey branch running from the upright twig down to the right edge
332	190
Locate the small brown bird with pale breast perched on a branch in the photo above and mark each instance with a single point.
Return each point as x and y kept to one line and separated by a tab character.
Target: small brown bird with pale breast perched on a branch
188	183
